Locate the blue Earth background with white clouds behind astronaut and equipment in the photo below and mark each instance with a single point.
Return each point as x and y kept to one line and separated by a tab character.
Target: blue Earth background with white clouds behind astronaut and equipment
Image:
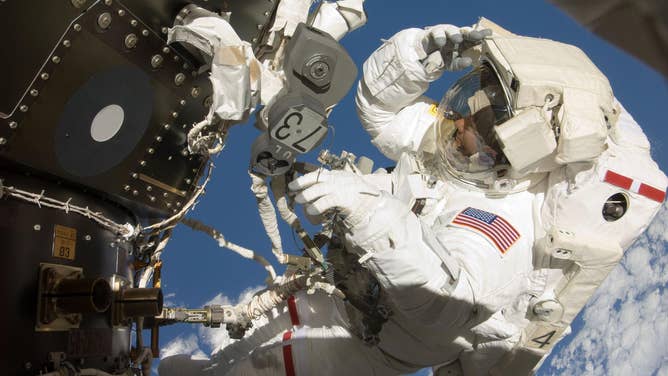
624	328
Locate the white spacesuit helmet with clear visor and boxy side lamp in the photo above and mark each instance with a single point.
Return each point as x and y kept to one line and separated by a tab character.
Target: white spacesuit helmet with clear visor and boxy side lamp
529	106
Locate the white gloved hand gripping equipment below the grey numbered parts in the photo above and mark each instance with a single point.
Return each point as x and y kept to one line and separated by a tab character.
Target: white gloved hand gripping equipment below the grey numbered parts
325	192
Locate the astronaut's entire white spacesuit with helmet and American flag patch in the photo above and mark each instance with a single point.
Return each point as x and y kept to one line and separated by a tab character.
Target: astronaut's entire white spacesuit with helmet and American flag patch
510	203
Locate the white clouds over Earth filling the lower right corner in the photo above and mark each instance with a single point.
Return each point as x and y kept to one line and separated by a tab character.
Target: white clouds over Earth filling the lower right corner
626	322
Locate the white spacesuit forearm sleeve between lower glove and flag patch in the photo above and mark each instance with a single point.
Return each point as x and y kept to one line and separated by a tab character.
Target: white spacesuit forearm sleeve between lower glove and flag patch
421	283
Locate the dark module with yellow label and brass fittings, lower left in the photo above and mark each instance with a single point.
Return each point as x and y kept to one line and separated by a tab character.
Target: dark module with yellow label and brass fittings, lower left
65	307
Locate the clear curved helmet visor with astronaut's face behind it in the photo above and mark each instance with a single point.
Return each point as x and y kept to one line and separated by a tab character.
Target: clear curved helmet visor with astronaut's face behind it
468	113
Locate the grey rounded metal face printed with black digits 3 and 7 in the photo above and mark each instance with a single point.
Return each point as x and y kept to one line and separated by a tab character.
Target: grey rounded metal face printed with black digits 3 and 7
301	129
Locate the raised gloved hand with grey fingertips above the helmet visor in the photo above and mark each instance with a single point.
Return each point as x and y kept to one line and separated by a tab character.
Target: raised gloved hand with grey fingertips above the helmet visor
444	45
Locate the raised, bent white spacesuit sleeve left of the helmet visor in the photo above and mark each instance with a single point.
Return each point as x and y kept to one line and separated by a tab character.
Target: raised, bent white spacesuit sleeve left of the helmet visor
389	97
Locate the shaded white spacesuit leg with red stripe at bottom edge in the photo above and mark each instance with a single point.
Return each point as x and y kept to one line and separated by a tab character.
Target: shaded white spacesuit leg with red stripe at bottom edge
307	336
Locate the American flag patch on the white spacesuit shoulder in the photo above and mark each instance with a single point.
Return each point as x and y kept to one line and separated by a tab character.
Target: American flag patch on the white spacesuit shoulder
501	233
